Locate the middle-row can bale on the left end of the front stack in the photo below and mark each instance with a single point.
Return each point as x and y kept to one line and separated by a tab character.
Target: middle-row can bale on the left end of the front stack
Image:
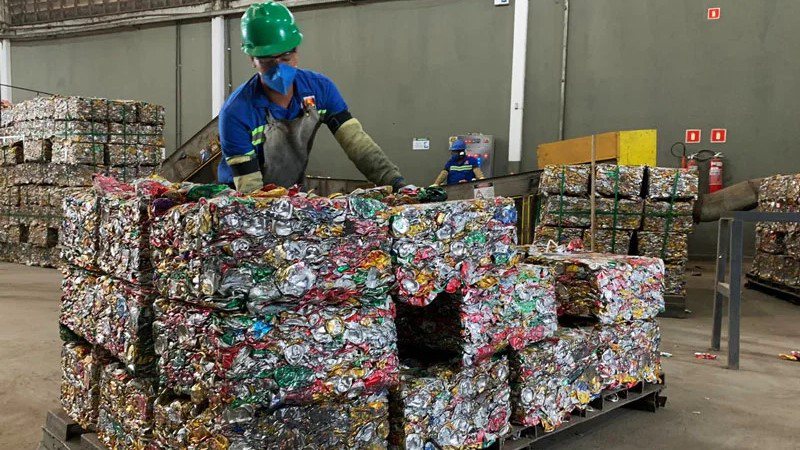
112	314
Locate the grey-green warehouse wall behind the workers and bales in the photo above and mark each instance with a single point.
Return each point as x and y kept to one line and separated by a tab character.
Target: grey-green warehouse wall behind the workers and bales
431	68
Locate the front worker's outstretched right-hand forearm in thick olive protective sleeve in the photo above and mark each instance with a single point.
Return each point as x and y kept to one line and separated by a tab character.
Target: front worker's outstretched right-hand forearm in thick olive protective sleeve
366	154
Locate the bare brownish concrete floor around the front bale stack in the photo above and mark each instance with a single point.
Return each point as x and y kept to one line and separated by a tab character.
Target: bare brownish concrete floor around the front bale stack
708	407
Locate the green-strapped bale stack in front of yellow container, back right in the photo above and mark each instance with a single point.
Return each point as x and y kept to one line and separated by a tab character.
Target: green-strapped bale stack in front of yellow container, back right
639	211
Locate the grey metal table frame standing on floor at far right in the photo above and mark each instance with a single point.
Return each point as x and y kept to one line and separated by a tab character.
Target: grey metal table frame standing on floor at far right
729	253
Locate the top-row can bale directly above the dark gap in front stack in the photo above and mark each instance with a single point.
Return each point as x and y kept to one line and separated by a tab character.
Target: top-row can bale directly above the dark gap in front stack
440	247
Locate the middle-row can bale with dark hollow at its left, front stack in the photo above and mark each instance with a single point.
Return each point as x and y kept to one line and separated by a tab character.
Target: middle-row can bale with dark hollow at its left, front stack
511	307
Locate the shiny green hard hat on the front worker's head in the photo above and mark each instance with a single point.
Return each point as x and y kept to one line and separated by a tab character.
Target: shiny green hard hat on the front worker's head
268	29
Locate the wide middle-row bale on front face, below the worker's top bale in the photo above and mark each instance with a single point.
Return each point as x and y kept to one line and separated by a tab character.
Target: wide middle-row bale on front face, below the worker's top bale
292	354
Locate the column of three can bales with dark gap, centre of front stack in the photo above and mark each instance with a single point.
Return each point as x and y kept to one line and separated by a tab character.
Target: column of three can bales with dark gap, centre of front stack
462	298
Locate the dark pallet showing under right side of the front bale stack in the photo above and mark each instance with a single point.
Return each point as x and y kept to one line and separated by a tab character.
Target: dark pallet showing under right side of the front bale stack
642	396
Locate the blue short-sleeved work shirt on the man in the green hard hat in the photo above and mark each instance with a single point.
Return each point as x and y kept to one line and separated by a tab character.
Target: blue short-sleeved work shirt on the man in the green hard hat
244	114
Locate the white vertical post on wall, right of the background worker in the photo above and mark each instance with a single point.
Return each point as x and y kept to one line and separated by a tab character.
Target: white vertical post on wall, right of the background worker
518	58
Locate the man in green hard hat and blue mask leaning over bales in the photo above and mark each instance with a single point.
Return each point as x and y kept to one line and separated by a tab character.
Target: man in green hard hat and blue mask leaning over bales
267	125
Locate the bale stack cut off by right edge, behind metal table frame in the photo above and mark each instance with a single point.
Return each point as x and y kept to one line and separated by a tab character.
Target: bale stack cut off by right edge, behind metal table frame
777	256
